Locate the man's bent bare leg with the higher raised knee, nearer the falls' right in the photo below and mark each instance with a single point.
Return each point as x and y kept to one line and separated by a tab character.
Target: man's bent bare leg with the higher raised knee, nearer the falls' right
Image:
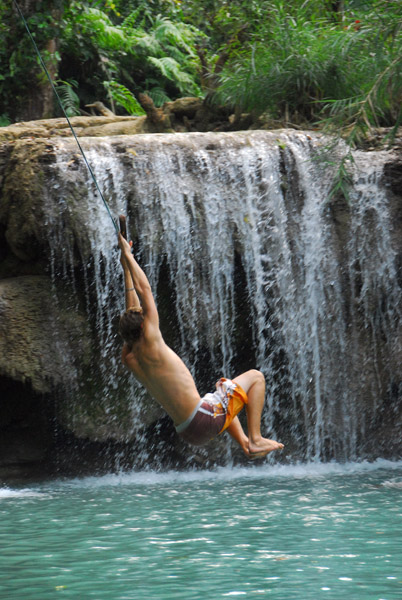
253	383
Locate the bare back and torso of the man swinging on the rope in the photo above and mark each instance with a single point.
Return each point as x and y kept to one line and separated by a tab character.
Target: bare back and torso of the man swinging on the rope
164	375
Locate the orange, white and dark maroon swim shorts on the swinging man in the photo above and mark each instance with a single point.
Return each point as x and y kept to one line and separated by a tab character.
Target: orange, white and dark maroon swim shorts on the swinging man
214	413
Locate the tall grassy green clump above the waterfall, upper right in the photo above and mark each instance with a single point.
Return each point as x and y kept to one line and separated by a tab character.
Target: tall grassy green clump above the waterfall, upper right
305	63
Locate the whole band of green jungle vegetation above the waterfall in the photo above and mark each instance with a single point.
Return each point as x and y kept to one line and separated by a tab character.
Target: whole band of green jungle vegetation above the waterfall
312	63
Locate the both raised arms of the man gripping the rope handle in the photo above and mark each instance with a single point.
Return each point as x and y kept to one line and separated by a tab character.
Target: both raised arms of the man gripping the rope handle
142	288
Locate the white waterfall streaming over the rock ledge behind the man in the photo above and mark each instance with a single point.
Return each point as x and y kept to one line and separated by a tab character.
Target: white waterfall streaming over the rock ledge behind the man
251	267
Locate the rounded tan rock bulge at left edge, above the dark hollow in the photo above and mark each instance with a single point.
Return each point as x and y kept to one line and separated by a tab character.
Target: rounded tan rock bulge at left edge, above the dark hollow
34	329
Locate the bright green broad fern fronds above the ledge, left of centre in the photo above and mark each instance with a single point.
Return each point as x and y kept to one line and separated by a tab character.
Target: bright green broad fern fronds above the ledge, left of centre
142	48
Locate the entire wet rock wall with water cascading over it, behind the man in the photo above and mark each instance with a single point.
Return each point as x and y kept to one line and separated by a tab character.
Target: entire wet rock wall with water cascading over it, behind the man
251	266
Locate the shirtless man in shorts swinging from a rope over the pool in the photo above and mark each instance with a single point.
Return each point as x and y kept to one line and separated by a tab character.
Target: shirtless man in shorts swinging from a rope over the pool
197	420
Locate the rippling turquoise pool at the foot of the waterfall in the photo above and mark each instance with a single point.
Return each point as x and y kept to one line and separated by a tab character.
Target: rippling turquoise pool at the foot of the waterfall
298	532
